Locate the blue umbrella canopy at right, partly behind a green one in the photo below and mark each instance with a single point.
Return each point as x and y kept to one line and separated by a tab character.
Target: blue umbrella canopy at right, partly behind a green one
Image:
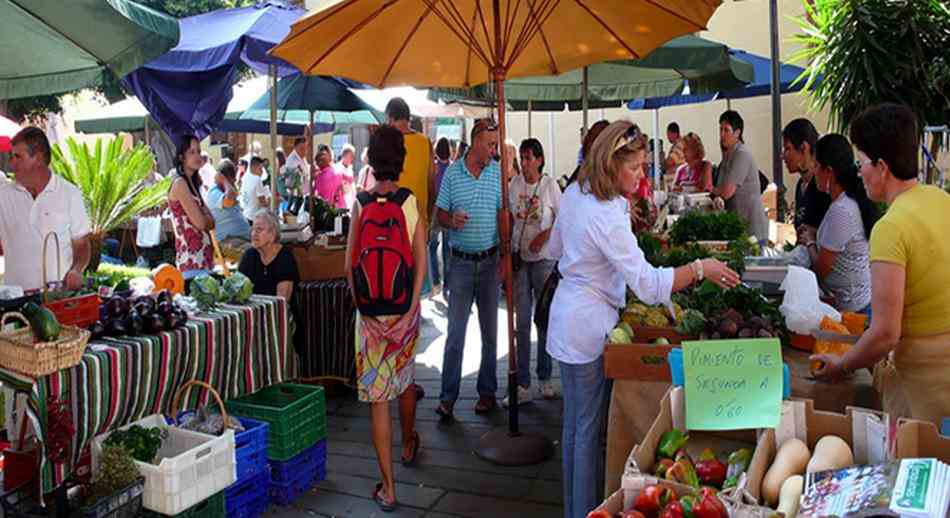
761	84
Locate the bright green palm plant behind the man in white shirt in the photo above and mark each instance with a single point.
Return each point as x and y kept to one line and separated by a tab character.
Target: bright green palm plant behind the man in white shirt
112	181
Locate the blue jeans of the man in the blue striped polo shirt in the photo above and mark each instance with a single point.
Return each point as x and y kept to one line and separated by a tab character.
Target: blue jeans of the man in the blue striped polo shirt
471	281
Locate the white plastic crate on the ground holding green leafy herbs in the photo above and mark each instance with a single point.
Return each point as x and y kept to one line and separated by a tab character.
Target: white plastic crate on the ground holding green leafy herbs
193	466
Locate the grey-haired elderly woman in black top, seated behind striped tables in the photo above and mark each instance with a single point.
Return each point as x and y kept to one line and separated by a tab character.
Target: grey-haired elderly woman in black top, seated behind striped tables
270	266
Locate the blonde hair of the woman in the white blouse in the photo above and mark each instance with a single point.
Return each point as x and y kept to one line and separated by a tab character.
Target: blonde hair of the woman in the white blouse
600	174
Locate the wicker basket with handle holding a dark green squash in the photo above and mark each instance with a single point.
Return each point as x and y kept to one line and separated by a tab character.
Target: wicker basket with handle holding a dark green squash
19	350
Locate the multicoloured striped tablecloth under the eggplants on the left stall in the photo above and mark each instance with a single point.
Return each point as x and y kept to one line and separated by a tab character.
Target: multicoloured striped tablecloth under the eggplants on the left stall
236	349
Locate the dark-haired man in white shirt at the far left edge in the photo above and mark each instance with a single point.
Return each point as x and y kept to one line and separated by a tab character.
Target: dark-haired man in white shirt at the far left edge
38	203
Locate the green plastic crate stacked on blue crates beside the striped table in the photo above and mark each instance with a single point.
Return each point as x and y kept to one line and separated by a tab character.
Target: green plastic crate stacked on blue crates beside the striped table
296	414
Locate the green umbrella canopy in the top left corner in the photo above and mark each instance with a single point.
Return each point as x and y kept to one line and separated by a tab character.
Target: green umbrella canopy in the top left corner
50	48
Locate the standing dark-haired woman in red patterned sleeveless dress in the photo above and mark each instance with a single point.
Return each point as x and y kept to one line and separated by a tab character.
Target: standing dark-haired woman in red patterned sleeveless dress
191	218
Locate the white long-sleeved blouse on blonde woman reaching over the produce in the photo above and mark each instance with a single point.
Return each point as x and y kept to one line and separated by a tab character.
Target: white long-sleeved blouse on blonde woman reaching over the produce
598	258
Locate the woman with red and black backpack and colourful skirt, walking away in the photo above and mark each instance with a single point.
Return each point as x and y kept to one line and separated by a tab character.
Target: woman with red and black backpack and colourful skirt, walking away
387	242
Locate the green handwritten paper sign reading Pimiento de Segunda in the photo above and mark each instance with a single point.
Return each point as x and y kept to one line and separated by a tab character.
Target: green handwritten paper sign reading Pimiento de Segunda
733	384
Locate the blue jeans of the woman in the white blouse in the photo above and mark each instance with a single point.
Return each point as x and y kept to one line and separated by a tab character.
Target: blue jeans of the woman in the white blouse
585	390
